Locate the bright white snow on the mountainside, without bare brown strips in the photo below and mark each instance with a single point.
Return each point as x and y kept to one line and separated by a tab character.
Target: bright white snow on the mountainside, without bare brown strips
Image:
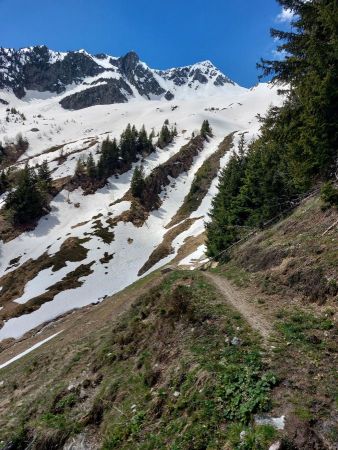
228	109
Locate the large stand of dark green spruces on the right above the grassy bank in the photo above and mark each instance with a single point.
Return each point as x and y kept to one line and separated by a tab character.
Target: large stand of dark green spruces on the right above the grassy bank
298	142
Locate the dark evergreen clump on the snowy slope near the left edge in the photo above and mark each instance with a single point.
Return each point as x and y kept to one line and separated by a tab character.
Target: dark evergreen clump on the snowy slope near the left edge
29	197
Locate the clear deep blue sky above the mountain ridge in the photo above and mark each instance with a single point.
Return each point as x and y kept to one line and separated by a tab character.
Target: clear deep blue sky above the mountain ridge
233	34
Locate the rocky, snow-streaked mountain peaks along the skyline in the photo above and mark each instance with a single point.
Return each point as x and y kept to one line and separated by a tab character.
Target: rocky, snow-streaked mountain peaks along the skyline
102	79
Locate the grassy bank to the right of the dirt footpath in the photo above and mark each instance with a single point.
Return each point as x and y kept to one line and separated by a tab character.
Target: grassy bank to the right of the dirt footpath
289	273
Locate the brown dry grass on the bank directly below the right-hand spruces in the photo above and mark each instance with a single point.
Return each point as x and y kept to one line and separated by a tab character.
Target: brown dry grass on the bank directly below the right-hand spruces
295	256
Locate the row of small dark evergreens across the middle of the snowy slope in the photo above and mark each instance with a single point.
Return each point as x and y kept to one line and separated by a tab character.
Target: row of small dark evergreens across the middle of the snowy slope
118	157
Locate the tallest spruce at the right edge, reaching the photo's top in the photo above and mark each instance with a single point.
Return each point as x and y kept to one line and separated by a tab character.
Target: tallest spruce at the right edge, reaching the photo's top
310	72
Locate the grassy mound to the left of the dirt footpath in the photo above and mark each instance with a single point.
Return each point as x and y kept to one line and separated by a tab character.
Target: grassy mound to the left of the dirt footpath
180	370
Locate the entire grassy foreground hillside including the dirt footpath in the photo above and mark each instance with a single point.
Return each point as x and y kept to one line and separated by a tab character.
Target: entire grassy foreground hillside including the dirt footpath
175	367
